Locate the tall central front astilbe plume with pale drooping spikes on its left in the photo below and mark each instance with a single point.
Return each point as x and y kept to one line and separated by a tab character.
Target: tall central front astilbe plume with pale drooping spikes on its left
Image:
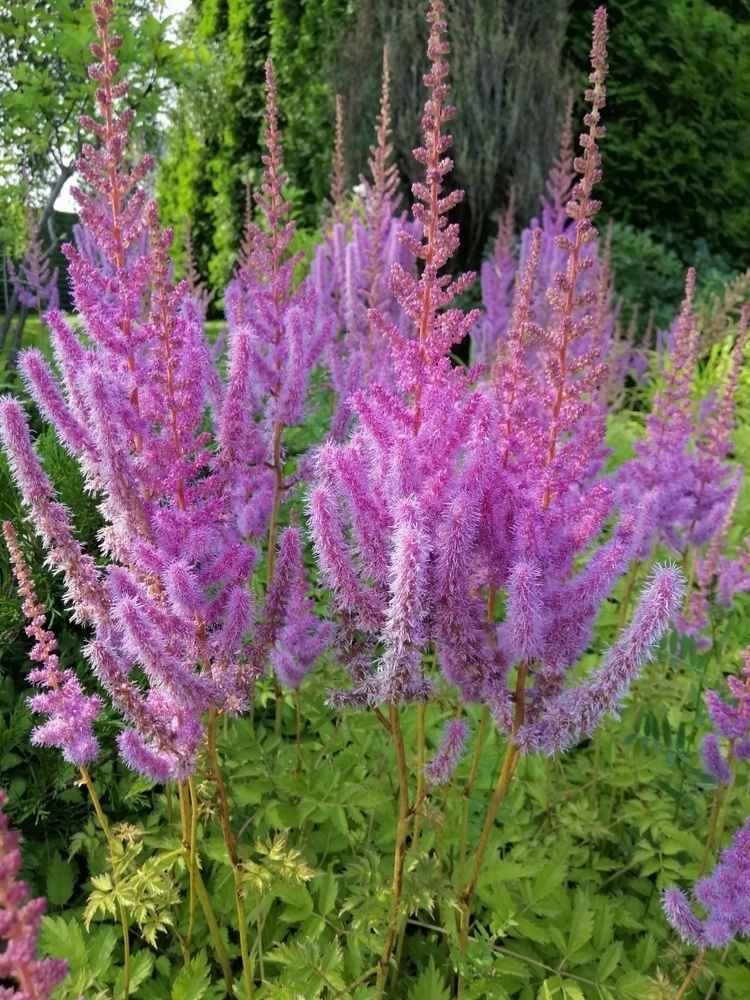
382	501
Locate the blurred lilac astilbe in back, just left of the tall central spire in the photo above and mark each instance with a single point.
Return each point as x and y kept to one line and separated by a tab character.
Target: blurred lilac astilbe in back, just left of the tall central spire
350	273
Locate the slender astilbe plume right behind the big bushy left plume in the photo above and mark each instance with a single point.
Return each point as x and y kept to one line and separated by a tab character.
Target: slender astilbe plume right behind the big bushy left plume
277	335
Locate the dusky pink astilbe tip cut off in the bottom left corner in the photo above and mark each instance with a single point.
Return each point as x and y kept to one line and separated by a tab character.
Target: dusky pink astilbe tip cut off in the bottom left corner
20	924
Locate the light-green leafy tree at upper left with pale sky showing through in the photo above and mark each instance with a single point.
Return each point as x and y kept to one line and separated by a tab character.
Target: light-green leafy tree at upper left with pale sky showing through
44	52
